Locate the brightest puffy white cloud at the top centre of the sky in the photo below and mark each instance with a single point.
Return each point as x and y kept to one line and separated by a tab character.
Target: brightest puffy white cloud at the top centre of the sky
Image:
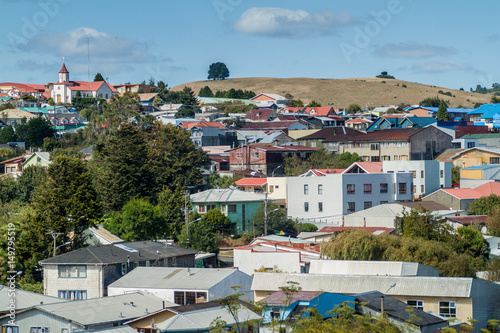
279	22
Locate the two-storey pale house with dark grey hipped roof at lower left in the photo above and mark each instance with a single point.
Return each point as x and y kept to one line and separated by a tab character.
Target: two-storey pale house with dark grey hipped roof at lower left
87	272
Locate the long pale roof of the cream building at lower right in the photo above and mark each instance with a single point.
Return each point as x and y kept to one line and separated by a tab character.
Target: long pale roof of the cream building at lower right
355	284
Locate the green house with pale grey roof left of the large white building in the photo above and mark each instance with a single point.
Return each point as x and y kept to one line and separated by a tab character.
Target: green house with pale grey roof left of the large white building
238	205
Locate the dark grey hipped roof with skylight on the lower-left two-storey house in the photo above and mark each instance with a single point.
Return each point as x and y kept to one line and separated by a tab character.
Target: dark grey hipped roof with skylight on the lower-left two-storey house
113	253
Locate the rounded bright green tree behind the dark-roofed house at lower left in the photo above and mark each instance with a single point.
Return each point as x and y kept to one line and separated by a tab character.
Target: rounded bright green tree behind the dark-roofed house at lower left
138	220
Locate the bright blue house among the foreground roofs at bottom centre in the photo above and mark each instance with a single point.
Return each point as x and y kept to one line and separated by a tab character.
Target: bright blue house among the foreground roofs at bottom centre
281	307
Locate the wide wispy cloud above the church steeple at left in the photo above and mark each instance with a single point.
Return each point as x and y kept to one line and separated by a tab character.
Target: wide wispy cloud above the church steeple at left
104	48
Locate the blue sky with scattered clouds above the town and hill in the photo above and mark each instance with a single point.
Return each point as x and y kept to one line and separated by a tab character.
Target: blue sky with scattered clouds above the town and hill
446	43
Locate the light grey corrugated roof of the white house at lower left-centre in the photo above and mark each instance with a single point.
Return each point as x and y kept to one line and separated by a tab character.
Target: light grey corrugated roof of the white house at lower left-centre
173	277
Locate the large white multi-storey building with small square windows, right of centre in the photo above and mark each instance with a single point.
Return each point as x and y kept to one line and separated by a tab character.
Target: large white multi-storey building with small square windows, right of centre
329	197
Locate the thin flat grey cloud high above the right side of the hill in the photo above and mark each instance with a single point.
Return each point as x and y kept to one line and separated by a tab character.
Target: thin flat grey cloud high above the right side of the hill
413	50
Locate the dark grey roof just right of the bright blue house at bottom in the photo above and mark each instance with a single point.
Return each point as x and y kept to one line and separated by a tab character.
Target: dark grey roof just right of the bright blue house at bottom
397	309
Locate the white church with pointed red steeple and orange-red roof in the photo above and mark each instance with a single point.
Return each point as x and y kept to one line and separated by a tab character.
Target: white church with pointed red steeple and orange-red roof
64	90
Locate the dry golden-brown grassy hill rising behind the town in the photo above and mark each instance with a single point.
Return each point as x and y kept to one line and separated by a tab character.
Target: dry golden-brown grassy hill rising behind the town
367	92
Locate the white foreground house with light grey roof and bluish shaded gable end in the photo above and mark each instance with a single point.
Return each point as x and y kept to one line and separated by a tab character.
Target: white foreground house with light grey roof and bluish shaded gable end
183	285
